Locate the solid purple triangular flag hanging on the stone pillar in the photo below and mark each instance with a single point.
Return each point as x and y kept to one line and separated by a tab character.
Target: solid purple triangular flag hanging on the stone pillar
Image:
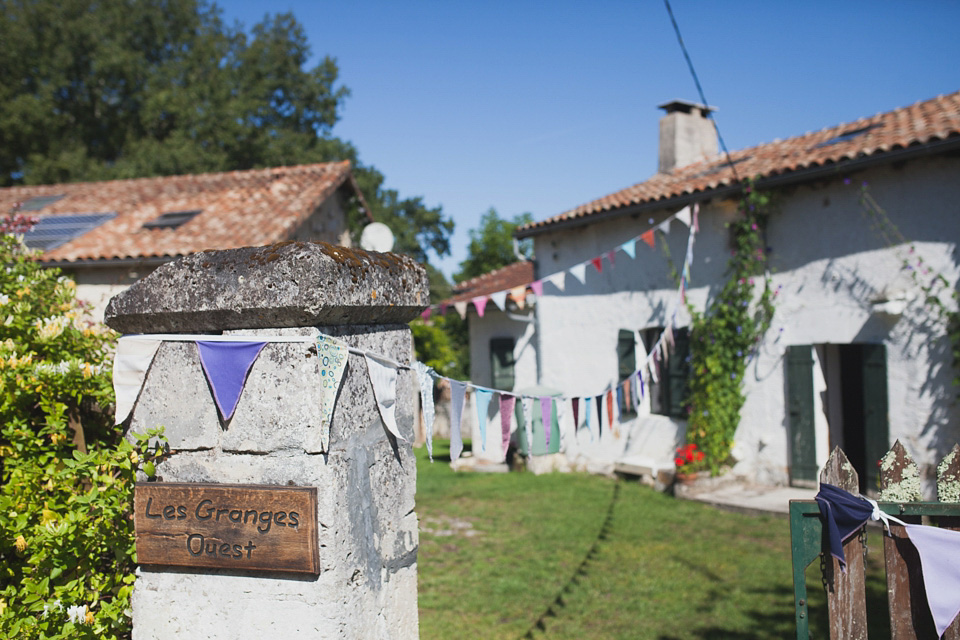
226	365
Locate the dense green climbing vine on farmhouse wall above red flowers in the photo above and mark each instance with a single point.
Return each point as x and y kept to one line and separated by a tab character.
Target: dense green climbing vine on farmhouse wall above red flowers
727	334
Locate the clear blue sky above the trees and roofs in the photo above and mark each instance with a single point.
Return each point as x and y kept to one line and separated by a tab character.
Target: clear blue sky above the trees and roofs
541	106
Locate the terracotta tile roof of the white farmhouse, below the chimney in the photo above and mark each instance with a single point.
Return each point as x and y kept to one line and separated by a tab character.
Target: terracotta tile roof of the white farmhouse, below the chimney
920	124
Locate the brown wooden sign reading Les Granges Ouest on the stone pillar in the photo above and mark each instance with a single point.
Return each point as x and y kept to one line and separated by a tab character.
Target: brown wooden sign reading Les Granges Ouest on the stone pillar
242	527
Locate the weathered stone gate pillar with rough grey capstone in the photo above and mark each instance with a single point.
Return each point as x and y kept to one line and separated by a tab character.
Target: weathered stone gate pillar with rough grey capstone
367	528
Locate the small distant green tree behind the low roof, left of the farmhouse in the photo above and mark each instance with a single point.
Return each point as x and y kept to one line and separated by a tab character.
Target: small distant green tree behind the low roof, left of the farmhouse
492	245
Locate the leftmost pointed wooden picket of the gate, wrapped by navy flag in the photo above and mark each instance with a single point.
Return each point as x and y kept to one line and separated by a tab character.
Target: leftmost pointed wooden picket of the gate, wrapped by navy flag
846	597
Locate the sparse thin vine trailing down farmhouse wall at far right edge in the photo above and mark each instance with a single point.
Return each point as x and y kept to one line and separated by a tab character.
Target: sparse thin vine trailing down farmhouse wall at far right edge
932	284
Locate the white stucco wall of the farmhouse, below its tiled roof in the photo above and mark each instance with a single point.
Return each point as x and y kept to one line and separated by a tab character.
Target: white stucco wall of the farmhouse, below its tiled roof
830	268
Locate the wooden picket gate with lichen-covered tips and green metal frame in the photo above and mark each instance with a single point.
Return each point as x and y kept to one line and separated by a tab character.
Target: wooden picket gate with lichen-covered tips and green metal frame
846	595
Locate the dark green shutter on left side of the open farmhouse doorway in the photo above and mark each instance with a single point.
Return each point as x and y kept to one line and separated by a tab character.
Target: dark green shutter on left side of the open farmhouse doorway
803	452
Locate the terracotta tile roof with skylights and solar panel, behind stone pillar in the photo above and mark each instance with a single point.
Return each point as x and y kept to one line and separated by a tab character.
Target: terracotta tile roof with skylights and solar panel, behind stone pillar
238	208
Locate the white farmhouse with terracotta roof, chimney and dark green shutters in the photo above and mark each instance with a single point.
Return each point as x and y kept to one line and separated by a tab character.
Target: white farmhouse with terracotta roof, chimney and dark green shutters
854	357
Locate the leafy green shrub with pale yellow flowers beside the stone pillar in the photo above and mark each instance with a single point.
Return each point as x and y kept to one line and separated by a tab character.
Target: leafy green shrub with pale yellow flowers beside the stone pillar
66	473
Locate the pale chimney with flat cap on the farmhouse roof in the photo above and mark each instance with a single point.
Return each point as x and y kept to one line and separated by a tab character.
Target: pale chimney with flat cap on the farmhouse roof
686	134
